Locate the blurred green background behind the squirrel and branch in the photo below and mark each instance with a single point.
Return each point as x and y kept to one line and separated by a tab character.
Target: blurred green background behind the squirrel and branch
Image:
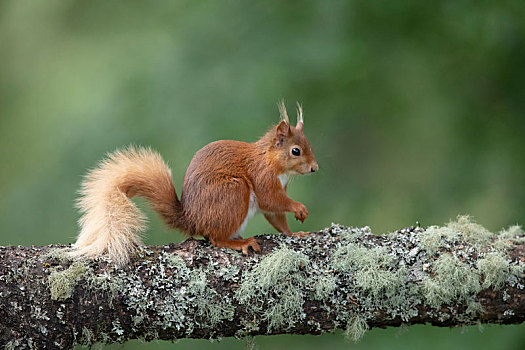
415	111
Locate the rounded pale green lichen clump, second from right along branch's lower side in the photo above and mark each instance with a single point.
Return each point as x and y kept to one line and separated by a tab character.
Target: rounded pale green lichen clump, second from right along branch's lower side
452	280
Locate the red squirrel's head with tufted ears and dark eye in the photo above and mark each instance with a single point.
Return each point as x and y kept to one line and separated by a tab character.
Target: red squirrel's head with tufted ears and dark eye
292	146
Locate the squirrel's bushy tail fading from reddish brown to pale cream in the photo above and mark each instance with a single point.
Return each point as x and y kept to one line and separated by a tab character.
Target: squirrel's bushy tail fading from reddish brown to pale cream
111	223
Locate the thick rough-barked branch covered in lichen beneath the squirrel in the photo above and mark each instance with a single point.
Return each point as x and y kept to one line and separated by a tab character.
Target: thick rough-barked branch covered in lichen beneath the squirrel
337	278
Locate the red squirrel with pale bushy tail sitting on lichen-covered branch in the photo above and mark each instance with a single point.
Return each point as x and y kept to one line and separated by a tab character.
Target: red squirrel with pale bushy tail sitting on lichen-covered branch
226	183
